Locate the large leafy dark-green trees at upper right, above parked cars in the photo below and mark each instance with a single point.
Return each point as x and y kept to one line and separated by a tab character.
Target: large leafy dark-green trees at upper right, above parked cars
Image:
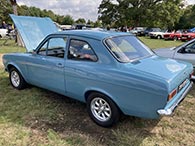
166	14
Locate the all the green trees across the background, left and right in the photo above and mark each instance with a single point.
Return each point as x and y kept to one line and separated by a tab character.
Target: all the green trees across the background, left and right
166	14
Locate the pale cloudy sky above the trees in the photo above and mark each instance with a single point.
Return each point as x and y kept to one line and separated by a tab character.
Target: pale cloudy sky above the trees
87	9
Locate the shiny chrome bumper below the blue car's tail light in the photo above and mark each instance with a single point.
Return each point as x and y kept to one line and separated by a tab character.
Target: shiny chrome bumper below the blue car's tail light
168	110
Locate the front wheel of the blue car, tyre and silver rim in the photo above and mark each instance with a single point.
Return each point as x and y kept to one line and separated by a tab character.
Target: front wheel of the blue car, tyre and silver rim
16	79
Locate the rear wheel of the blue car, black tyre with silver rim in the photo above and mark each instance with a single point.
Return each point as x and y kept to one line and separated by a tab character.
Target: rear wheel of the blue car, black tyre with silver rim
105	114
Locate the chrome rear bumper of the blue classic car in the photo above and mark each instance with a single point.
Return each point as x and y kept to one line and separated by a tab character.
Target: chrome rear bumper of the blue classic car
170	107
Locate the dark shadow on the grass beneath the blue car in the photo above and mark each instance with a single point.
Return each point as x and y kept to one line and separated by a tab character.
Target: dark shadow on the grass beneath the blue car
70	116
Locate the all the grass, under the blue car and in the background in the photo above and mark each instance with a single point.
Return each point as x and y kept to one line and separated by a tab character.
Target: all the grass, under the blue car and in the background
38	117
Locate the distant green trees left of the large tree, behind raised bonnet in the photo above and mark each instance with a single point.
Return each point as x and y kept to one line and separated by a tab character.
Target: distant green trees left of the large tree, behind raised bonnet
6	9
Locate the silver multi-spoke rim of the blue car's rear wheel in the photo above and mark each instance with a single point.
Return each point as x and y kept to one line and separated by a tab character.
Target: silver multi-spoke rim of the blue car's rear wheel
101	109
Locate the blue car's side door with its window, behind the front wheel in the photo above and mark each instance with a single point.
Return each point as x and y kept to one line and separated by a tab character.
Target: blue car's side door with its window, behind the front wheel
46	68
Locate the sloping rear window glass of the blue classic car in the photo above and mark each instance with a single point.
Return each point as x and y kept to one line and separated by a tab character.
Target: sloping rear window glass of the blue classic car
128	48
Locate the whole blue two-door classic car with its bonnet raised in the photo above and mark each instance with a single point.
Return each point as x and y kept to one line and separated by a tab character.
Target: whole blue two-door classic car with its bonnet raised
113	73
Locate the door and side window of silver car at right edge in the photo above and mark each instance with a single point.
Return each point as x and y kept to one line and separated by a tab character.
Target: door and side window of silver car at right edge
186	53
